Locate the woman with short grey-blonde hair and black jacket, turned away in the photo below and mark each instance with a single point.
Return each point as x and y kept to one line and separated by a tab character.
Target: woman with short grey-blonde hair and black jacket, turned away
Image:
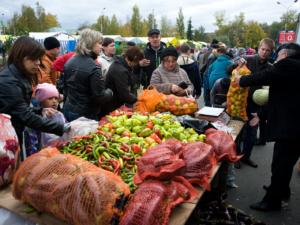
84	86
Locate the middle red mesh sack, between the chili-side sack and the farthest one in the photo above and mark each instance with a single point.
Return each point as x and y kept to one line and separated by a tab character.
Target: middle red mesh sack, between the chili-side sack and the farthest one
200	161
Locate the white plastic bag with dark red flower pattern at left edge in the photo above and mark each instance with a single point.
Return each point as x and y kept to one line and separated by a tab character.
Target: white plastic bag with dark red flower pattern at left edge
9	150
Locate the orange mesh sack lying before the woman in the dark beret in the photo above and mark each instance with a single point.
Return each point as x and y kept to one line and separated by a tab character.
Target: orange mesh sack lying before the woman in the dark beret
177	105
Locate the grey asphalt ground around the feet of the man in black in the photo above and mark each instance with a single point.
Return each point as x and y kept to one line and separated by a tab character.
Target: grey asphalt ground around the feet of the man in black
251	180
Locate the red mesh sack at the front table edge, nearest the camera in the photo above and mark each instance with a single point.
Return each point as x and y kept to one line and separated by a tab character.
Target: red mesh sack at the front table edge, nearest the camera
153	201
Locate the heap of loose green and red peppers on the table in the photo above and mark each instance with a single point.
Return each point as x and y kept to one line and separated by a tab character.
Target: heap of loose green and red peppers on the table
123	137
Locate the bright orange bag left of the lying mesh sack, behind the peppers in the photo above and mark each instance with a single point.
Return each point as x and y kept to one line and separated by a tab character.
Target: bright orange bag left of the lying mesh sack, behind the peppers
148	100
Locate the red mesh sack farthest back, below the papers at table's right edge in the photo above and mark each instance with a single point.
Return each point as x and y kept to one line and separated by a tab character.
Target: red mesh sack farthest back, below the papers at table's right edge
223	145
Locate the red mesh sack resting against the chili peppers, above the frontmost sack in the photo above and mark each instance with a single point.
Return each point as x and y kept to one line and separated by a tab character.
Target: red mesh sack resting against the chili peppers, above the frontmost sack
160	162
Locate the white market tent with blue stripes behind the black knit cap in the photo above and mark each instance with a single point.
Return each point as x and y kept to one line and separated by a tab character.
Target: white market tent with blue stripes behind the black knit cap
67	41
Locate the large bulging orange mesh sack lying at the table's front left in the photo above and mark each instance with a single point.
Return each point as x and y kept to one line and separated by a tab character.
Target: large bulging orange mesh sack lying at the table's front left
70	188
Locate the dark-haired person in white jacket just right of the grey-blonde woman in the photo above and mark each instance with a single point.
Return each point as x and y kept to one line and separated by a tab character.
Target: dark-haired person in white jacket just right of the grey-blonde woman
106	57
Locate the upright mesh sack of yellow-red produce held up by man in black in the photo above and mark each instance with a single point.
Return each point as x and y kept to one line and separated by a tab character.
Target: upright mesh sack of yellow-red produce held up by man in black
237	96
